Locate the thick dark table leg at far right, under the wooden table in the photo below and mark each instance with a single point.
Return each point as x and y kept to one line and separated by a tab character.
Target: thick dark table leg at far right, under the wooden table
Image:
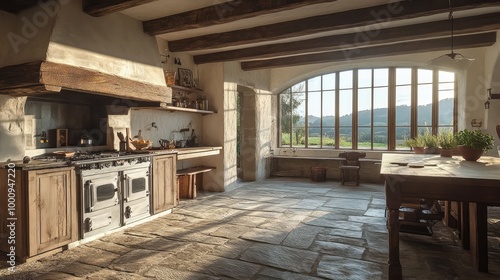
479	235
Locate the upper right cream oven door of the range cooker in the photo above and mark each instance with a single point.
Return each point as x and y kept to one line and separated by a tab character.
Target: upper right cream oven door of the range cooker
136	184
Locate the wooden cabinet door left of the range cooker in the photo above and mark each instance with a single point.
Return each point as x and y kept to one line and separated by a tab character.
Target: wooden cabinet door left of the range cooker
52	209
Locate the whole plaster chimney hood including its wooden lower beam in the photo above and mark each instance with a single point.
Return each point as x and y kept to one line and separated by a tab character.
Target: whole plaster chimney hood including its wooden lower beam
55	46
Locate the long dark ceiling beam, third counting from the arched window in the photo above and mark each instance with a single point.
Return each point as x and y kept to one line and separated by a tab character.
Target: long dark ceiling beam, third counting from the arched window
302	27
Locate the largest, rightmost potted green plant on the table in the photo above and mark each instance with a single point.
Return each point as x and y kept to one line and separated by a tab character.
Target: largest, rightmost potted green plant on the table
473	143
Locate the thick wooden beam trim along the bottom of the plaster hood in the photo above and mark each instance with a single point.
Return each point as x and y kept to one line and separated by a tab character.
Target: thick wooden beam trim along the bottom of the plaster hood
43	77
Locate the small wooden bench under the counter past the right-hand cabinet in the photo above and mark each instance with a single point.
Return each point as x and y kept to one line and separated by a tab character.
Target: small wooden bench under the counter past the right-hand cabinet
191	179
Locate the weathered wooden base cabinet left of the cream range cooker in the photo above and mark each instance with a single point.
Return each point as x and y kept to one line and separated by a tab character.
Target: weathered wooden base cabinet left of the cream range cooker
46	211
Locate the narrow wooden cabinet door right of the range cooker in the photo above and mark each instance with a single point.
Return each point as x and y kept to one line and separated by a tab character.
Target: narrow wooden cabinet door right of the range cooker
164	193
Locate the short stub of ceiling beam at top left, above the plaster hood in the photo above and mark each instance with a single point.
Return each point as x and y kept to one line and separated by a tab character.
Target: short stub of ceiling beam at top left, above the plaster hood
98	8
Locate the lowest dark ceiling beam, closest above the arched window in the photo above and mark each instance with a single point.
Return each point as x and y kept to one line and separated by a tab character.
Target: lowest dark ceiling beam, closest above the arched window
441	44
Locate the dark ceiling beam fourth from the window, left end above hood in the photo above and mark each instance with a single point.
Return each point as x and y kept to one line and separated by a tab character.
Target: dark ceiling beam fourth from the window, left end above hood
223	12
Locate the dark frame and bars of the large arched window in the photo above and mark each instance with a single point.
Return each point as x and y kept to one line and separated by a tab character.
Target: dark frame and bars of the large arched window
391	110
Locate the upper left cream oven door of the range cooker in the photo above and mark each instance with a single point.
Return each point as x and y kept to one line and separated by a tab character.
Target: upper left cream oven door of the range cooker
100	191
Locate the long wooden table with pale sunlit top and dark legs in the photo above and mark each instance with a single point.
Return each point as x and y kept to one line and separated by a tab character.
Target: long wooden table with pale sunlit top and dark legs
475	183
